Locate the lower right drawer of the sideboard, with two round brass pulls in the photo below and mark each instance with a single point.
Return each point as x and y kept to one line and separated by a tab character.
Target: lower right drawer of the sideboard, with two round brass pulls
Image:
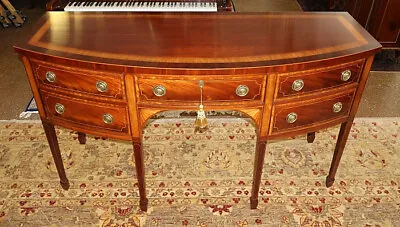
294	115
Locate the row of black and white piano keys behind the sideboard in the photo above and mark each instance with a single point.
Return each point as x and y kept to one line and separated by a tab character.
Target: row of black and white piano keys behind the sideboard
140	6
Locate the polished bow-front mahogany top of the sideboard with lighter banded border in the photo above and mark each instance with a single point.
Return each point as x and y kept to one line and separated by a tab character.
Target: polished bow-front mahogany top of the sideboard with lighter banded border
199	40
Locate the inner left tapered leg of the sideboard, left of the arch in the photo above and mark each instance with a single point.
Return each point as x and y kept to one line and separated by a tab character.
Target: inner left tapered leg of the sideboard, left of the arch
139	163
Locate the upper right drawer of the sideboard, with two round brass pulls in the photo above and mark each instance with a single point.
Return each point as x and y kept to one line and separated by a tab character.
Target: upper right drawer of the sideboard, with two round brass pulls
310	81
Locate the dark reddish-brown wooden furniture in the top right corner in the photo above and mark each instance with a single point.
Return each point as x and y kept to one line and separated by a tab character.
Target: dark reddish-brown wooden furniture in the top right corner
379	17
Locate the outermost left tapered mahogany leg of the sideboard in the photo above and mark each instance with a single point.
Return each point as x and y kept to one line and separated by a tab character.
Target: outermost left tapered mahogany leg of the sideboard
55	151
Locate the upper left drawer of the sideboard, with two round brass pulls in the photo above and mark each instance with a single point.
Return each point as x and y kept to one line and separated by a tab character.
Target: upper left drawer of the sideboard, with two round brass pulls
92	82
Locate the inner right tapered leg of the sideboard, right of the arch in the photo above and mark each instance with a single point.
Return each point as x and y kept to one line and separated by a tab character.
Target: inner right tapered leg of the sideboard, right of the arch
258	166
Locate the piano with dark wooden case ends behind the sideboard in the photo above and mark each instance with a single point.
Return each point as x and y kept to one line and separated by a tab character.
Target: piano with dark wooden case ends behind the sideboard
141	6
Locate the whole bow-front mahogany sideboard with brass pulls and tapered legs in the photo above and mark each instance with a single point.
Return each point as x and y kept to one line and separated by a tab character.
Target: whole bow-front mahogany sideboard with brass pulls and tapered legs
106	74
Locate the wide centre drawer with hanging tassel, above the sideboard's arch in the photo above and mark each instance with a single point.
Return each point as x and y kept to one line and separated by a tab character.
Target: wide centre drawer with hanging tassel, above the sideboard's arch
214	89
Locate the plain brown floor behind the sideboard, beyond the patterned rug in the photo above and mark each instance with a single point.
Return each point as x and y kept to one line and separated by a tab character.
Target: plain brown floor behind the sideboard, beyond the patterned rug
380	96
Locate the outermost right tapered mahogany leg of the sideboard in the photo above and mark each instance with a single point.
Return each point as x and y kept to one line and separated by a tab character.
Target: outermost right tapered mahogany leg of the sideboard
341	142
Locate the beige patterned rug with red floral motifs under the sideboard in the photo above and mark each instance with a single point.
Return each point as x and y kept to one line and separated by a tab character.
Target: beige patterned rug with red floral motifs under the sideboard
201	179
